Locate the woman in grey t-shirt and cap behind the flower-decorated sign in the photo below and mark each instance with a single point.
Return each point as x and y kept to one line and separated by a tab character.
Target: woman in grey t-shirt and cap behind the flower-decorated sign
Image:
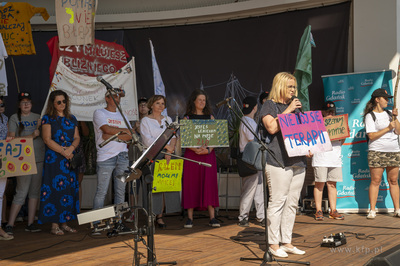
26	124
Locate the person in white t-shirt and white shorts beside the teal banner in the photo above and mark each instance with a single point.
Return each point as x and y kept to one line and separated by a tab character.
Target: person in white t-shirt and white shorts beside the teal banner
328	169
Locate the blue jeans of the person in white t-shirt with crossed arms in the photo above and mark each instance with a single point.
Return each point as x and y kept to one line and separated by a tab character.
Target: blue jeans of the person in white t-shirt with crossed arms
114	166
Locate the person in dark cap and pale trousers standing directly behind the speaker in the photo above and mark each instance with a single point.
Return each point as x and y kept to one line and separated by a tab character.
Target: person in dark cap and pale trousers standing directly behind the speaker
252	186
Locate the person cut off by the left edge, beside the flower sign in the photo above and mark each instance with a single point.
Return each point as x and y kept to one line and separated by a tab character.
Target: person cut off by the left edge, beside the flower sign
3	181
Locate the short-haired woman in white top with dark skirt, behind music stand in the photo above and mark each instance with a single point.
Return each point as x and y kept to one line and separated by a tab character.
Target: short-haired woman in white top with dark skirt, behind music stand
151	127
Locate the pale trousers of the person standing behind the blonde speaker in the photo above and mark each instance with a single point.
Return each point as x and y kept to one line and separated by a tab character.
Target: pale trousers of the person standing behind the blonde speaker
252	189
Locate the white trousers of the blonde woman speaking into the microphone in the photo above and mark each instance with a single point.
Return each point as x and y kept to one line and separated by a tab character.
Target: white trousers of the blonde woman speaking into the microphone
284	192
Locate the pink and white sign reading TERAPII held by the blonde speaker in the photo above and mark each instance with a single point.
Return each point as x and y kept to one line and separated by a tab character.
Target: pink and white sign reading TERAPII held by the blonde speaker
303	132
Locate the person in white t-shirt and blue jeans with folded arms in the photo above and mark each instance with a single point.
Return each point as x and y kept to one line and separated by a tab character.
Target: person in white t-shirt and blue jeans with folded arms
112	159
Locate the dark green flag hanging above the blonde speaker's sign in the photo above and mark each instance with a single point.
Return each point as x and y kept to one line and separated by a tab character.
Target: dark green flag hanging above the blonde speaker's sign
303	69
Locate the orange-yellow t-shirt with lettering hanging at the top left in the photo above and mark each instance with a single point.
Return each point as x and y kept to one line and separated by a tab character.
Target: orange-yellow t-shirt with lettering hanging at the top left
16	28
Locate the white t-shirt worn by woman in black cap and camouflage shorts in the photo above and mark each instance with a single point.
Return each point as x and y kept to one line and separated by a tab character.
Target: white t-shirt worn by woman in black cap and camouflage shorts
389	141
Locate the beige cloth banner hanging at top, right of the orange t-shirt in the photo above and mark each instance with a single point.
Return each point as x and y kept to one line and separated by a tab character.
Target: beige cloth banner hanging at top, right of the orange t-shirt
75	21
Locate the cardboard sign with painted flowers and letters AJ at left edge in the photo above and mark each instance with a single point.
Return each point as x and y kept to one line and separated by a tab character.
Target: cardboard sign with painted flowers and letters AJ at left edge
17	157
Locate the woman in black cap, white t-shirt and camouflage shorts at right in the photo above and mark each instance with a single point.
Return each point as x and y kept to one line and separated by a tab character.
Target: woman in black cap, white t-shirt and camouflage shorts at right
382	128
